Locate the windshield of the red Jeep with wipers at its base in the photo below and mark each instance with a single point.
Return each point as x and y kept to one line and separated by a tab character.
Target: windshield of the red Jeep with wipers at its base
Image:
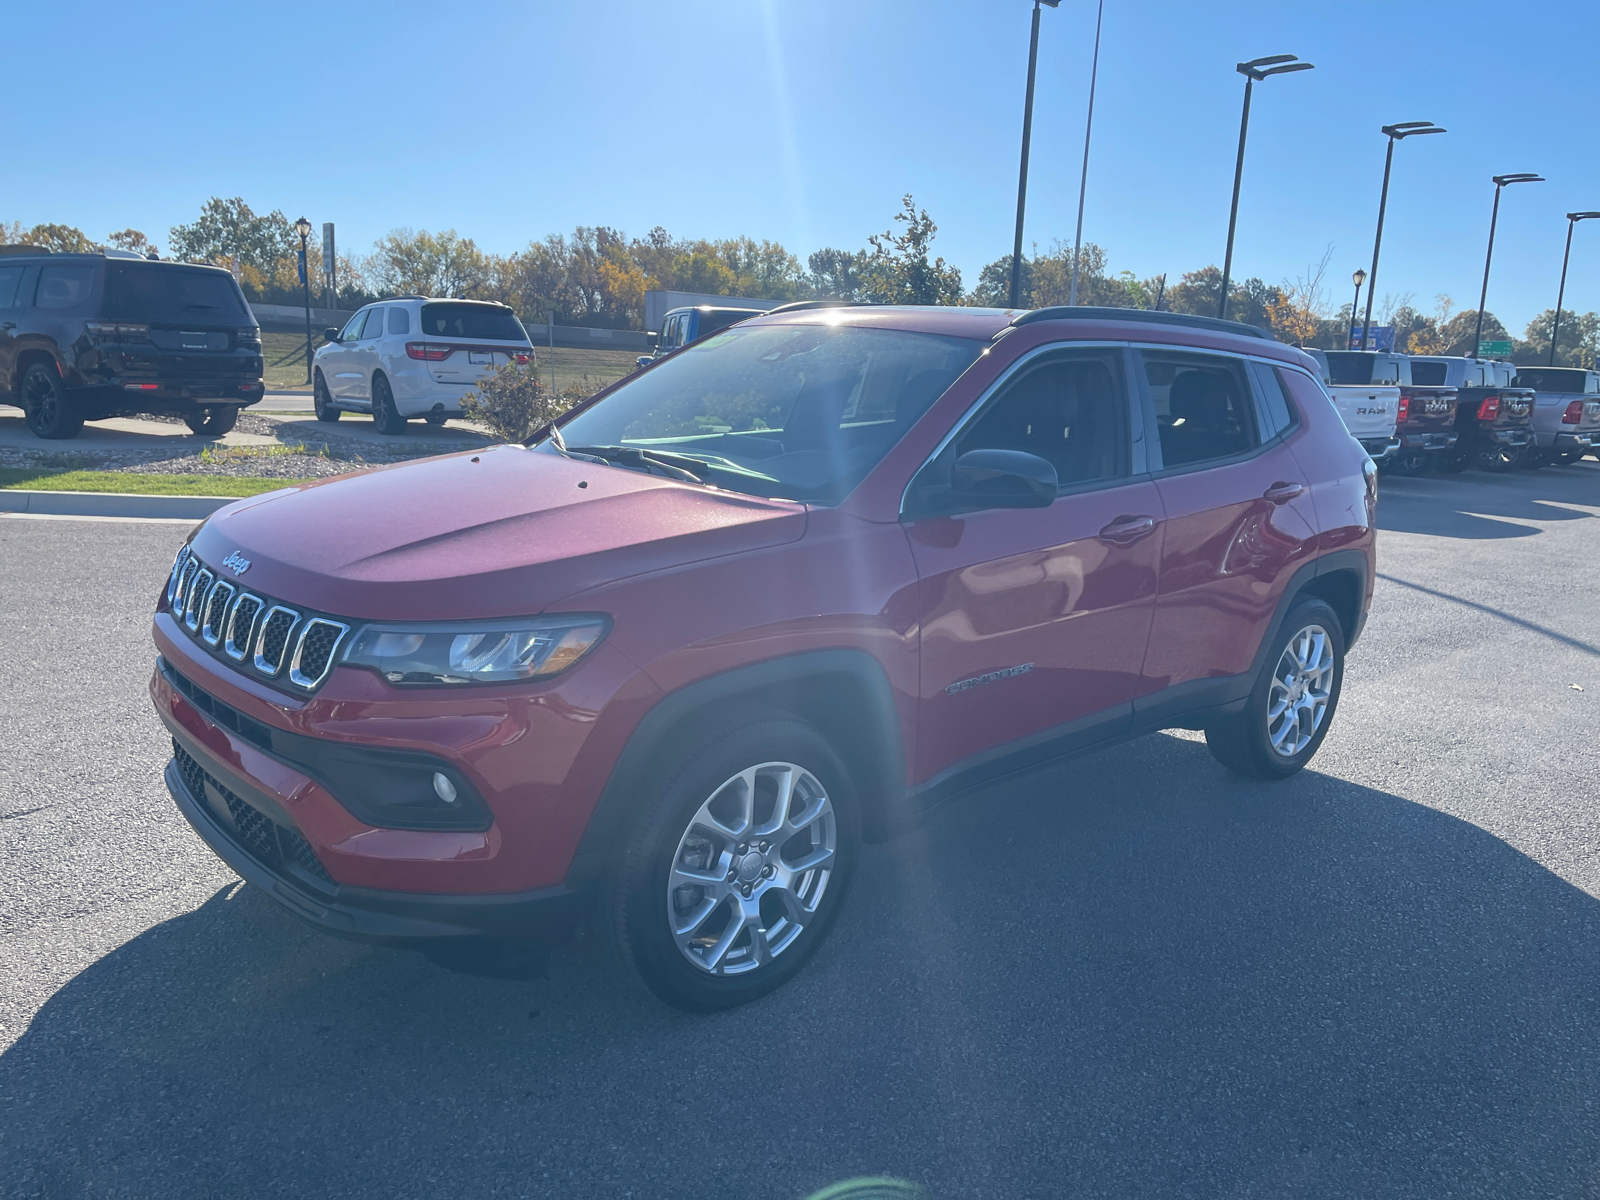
796	412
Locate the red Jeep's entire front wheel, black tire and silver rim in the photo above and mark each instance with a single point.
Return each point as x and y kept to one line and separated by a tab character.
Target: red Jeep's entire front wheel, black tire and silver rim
742	946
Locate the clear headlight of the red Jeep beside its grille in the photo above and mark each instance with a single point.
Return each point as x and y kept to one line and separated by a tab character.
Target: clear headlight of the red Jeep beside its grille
478	652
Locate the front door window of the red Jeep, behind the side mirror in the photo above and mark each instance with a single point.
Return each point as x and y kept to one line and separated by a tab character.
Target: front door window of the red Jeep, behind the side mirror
1070	410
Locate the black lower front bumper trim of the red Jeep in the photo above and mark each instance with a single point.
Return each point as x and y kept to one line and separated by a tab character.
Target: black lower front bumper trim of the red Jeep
358	914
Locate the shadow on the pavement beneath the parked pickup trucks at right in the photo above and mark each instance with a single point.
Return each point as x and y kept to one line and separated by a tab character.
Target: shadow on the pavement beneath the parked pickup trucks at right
1482	506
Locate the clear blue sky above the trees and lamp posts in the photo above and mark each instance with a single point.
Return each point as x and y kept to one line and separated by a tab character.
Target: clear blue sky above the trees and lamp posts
806	121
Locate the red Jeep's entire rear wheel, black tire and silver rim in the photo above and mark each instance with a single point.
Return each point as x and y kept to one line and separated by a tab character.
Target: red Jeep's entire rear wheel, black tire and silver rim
1258	745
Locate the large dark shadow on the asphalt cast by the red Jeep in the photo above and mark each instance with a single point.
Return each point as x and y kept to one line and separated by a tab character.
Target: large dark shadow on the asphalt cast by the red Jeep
1137	975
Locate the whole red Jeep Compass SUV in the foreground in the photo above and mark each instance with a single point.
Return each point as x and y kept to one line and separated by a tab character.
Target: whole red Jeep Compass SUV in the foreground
674	660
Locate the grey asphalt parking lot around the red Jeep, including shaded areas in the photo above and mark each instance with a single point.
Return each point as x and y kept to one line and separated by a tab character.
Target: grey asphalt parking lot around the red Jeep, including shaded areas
1132	977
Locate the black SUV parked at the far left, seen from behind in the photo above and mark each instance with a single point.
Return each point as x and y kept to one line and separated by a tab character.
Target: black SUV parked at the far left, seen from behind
87	337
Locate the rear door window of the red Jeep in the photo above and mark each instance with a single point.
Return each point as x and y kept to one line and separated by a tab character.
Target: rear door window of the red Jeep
1202	407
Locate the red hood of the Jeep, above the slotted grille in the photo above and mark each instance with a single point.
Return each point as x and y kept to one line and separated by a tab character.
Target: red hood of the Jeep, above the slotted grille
505	532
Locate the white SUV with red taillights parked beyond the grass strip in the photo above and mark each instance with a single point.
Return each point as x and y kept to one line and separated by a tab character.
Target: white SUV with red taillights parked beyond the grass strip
414	358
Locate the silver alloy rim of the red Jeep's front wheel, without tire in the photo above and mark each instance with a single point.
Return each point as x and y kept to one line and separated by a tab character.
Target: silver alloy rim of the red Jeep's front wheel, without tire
751	870
